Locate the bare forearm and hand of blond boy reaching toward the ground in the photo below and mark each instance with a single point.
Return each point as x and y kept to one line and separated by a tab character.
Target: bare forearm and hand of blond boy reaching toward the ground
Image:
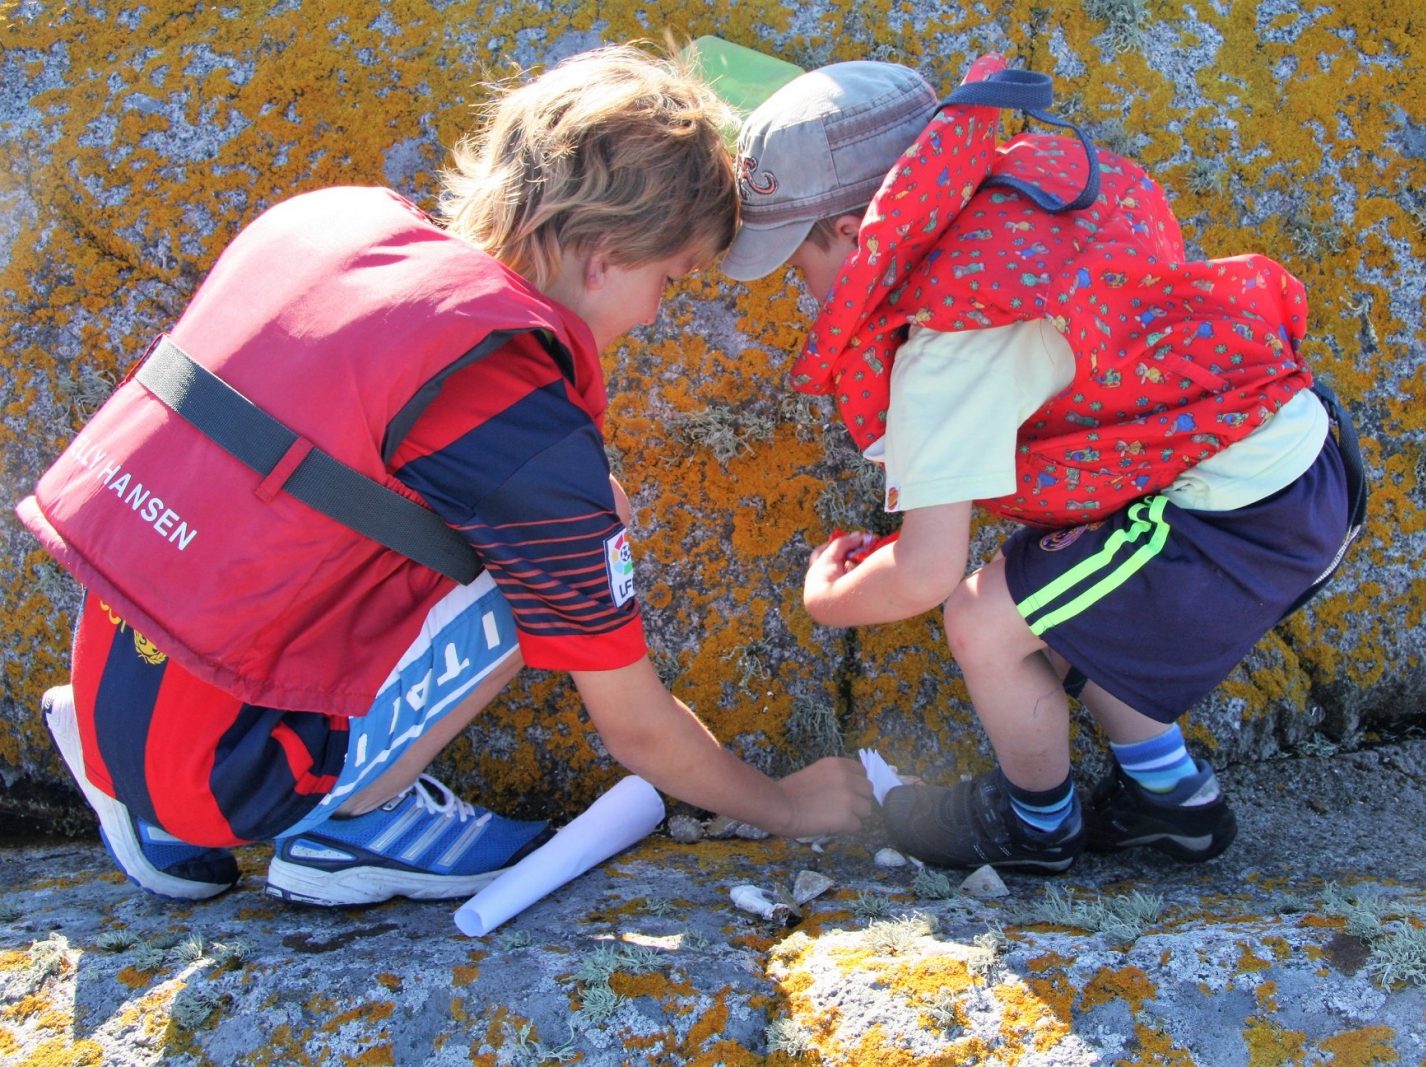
652	734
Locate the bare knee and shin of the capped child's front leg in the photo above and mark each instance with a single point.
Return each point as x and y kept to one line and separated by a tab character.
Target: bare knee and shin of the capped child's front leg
1015	687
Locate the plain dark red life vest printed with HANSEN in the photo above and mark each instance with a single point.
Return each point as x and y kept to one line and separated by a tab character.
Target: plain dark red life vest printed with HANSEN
330	313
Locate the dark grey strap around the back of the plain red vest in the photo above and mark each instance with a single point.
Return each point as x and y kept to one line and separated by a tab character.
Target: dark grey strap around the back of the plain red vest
322	481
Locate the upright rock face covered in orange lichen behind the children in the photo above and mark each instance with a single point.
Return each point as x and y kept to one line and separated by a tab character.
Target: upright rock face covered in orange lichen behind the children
179	131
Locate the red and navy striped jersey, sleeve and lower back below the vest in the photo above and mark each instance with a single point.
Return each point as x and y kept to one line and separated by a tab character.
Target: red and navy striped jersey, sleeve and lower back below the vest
510	453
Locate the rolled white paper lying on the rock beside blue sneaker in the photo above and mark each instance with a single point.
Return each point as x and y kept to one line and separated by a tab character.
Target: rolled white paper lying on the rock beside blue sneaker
622	817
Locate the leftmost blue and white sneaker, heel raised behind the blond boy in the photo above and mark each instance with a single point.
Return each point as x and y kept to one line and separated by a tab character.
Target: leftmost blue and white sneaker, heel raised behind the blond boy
152	858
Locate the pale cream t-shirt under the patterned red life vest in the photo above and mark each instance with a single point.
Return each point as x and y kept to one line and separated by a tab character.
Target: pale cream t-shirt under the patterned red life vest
959	400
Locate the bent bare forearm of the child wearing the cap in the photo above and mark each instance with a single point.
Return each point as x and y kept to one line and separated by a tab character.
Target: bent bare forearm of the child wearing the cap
913	574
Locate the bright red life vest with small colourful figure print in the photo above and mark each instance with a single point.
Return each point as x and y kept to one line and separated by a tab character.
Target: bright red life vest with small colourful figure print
1174	360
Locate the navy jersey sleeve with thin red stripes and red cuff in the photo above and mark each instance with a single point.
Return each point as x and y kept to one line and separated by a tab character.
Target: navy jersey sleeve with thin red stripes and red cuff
511	456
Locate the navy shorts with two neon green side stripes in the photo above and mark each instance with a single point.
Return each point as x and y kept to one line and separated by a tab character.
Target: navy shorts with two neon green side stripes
1159	604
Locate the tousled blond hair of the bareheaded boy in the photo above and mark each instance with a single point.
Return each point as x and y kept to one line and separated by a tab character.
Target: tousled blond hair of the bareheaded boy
611	150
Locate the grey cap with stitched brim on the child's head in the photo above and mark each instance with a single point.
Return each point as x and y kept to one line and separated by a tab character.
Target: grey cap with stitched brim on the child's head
821	146
